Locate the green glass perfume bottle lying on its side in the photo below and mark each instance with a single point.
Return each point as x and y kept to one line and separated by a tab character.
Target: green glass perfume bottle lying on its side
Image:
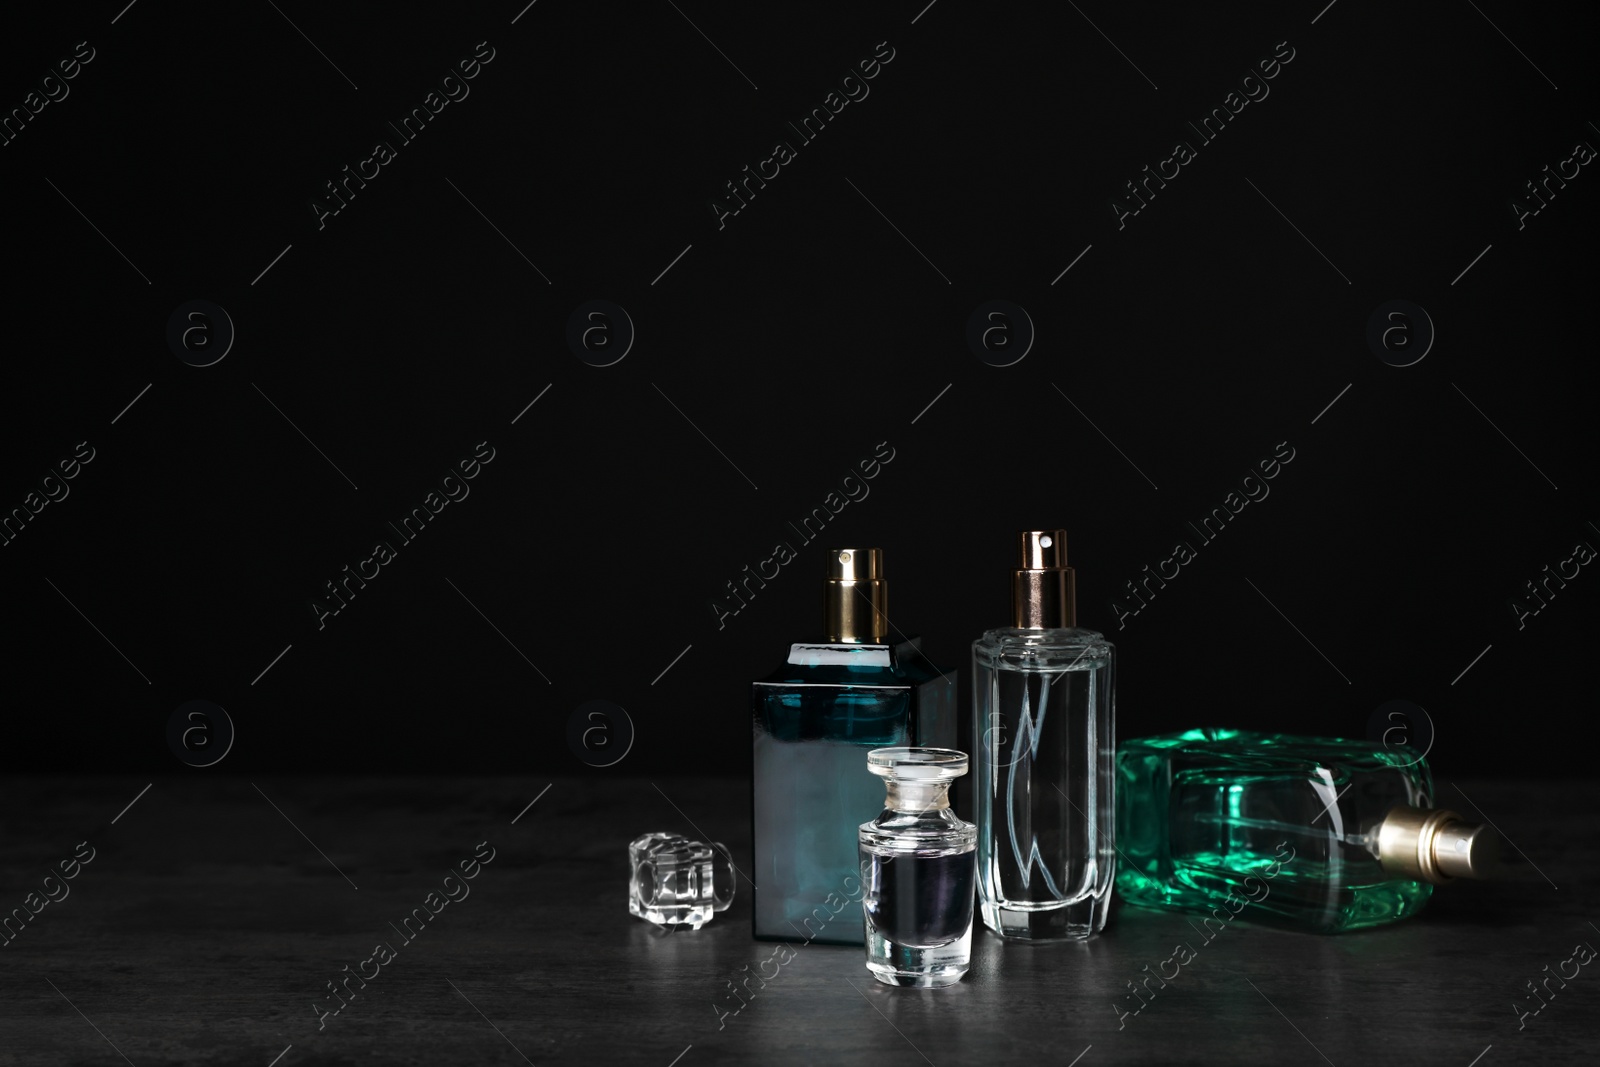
1311	833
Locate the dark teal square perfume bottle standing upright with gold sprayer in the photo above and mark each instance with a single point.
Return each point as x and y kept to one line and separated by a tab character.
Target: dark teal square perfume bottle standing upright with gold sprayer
815	721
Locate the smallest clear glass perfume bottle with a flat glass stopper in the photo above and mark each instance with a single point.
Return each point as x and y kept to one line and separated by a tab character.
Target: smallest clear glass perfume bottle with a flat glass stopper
918	863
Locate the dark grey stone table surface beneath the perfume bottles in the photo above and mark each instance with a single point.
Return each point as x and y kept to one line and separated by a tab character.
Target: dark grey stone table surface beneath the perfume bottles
214	913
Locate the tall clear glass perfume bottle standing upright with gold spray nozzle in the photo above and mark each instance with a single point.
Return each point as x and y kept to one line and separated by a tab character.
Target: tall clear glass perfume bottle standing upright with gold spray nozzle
1042	727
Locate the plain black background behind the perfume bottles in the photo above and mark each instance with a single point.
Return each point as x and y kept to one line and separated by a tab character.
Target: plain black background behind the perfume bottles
796	338
